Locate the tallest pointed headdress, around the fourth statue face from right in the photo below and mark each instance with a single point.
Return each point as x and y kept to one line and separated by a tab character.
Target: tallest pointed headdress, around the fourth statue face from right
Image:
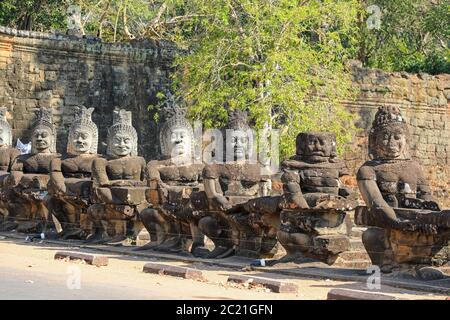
175	117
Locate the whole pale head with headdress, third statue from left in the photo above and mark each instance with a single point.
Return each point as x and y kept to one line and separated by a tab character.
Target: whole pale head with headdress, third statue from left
83	133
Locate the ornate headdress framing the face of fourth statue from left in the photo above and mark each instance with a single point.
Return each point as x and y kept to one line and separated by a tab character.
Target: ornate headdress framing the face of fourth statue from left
122	122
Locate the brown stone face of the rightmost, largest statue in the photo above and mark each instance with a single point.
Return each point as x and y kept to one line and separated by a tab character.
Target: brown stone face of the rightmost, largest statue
391	144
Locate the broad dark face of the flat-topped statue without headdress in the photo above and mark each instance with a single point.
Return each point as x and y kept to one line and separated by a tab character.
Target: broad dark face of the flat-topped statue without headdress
316	147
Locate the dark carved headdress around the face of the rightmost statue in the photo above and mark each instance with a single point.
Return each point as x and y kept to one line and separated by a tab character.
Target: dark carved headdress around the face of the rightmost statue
386	117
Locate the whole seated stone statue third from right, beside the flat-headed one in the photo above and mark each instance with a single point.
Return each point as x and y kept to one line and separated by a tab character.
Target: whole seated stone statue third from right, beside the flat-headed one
228	187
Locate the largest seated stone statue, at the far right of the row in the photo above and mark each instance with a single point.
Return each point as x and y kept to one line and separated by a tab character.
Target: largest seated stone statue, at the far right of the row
406	225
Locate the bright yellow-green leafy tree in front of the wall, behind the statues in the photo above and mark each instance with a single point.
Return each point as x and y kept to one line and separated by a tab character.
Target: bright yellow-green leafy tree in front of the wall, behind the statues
281	60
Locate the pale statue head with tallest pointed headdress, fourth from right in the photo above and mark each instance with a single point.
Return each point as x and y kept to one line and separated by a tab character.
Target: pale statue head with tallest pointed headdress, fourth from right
176	135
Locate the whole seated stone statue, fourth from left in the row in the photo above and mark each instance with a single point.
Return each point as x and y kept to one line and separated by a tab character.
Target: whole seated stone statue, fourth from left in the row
119	184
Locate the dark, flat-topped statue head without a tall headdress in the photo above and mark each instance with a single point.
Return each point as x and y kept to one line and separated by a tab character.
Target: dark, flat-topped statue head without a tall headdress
316	146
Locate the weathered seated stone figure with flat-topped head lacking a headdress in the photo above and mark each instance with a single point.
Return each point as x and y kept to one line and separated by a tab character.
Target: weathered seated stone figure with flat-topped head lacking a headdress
314	200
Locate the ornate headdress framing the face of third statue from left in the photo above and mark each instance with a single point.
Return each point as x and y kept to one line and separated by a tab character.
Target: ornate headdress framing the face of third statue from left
83	119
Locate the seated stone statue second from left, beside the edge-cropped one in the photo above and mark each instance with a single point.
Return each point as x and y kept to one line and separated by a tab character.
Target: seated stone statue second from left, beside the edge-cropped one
30	175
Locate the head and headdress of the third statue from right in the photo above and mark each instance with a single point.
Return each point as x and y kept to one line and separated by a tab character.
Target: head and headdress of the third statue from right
237	139
